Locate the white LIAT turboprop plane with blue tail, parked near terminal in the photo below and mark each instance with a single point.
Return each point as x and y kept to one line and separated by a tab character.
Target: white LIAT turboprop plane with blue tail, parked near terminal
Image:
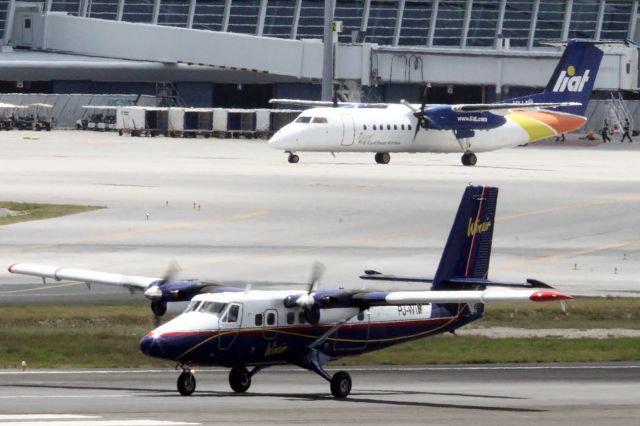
468	128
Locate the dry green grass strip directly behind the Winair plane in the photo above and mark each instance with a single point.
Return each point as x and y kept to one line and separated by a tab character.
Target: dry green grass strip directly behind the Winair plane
91	336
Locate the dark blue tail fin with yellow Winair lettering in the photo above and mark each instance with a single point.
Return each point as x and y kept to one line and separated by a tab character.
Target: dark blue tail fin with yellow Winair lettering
468	248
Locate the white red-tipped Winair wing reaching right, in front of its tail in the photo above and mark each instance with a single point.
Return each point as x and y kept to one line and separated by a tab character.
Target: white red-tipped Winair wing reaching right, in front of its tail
462	296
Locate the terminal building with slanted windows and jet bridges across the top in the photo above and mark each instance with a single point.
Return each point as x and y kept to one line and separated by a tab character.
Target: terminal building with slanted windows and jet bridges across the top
241	53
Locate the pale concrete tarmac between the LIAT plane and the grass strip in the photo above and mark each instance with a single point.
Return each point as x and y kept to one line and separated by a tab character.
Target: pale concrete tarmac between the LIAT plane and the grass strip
236	211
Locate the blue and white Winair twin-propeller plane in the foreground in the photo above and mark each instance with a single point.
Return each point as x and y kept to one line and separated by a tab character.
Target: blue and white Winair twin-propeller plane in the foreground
251	330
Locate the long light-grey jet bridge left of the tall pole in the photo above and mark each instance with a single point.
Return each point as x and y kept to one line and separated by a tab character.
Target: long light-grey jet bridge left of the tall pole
56	31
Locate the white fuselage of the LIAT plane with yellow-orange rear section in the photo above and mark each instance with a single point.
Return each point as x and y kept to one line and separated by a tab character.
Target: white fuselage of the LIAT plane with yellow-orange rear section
392	129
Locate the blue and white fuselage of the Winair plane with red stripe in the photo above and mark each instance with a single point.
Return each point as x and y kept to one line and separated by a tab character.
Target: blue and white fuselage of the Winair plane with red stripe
266	332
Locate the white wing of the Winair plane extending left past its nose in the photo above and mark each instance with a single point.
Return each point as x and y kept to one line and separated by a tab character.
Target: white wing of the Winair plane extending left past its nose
131	282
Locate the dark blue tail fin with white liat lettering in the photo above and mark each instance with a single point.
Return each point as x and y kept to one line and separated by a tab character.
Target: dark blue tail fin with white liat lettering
573	78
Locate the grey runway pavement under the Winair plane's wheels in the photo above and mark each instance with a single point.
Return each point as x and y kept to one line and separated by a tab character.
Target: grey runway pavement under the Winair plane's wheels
590	394
